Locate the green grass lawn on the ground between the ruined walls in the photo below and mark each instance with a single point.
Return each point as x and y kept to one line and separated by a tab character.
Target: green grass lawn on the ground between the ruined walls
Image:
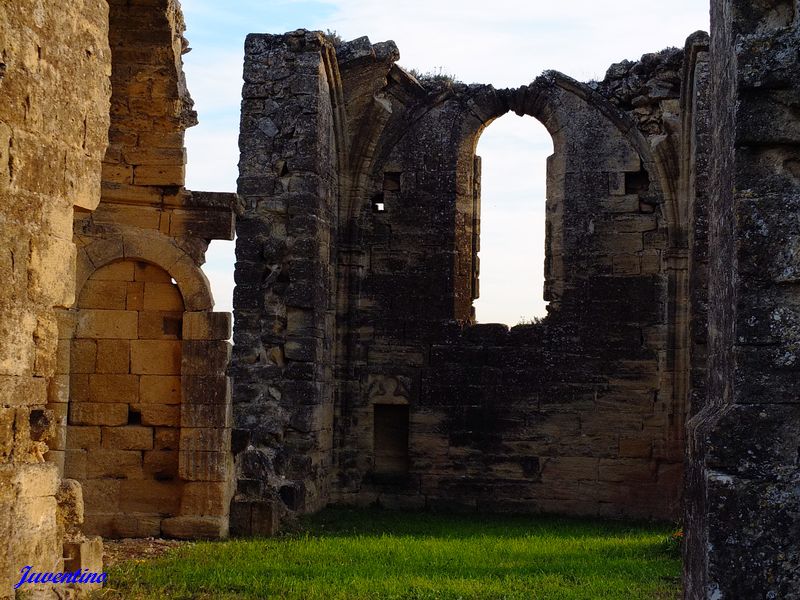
348	554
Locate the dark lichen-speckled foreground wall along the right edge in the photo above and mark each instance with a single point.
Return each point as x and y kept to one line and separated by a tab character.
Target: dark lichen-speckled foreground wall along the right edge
742	511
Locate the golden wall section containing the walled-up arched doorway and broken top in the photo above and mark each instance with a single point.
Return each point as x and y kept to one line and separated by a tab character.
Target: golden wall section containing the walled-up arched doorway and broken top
149	409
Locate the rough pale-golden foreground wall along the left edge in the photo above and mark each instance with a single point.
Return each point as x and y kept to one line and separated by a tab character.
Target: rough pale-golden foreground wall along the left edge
52	137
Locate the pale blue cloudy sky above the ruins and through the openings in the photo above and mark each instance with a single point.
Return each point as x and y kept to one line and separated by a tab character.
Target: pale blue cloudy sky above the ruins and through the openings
507	46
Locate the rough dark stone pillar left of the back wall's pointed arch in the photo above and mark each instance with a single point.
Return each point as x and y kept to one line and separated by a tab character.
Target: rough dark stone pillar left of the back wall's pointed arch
284	328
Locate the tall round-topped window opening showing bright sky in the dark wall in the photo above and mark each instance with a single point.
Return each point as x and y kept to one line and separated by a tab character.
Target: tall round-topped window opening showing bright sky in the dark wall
511	230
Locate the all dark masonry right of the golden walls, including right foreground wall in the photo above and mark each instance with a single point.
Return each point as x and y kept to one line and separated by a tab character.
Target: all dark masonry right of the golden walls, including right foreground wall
360	376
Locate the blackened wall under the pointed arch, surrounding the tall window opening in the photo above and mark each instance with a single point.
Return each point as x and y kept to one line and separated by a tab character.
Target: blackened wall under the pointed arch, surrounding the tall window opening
565	416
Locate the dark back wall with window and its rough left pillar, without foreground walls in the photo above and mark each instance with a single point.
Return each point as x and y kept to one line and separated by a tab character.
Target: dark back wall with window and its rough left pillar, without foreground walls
351	166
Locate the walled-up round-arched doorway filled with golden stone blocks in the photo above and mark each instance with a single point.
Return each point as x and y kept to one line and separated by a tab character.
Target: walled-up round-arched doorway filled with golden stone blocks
123	428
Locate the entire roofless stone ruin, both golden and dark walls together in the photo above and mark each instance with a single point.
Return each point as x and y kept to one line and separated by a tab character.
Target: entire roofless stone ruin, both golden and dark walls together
663	383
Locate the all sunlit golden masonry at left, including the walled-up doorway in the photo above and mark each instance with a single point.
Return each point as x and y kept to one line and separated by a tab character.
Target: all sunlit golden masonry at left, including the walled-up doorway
113	365
